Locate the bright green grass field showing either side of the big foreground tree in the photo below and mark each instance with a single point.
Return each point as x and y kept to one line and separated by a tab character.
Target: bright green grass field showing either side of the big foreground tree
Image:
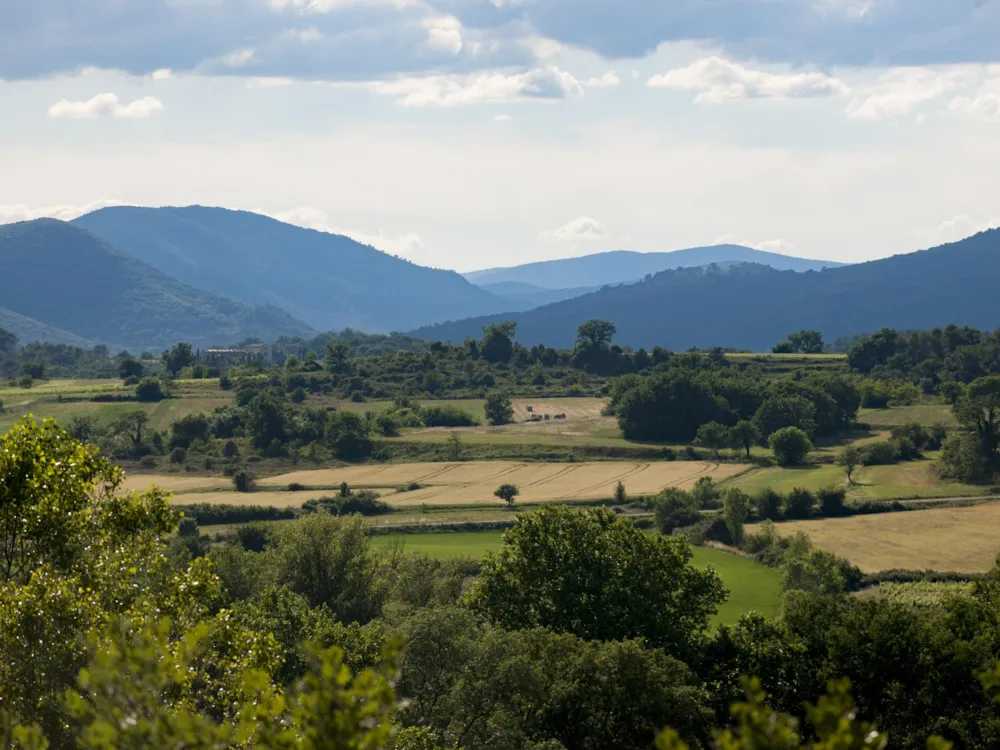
752	587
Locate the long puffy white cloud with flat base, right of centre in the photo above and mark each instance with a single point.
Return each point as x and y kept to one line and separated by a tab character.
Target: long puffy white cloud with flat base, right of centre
717	80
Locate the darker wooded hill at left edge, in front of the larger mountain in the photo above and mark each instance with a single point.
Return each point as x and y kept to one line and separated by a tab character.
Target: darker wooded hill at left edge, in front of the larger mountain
64	277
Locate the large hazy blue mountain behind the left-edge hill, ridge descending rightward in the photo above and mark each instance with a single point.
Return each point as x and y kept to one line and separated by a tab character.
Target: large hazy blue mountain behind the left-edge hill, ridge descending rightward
329	281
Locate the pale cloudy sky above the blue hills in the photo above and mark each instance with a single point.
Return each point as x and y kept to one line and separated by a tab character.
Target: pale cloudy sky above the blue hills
470	134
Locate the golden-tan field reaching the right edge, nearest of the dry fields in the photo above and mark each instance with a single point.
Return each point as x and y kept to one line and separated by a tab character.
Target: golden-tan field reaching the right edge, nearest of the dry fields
961	539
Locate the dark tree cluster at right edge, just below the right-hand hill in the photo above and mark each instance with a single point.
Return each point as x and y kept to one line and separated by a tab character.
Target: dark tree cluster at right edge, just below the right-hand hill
928	359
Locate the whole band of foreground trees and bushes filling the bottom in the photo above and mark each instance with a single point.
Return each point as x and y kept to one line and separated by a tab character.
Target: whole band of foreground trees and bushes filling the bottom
581	631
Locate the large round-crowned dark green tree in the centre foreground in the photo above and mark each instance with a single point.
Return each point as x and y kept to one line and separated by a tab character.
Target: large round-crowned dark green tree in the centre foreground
599	577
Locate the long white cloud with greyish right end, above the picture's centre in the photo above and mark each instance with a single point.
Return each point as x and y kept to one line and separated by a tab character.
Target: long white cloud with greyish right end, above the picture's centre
457	91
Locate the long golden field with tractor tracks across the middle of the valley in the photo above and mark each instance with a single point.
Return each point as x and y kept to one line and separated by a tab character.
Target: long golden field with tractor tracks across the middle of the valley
465	483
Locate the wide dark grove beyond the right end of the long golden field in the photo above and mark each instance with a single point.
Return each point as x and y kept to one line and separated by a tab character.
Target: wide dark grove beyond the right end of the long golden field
677	400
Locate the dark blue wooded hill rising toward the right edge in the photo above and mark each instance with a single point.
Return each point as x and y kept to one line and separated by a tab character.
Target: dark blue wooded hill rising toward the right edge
751	306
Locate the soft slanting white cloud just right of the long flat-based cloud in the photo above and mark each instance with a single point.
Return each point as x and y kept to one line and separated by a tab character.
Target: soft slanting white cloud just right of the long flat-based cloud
900	91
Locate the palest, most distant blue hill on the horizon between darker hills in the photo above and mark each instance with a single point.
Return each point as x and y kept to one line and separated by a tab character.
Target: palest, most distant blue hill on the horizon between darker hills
624	266
